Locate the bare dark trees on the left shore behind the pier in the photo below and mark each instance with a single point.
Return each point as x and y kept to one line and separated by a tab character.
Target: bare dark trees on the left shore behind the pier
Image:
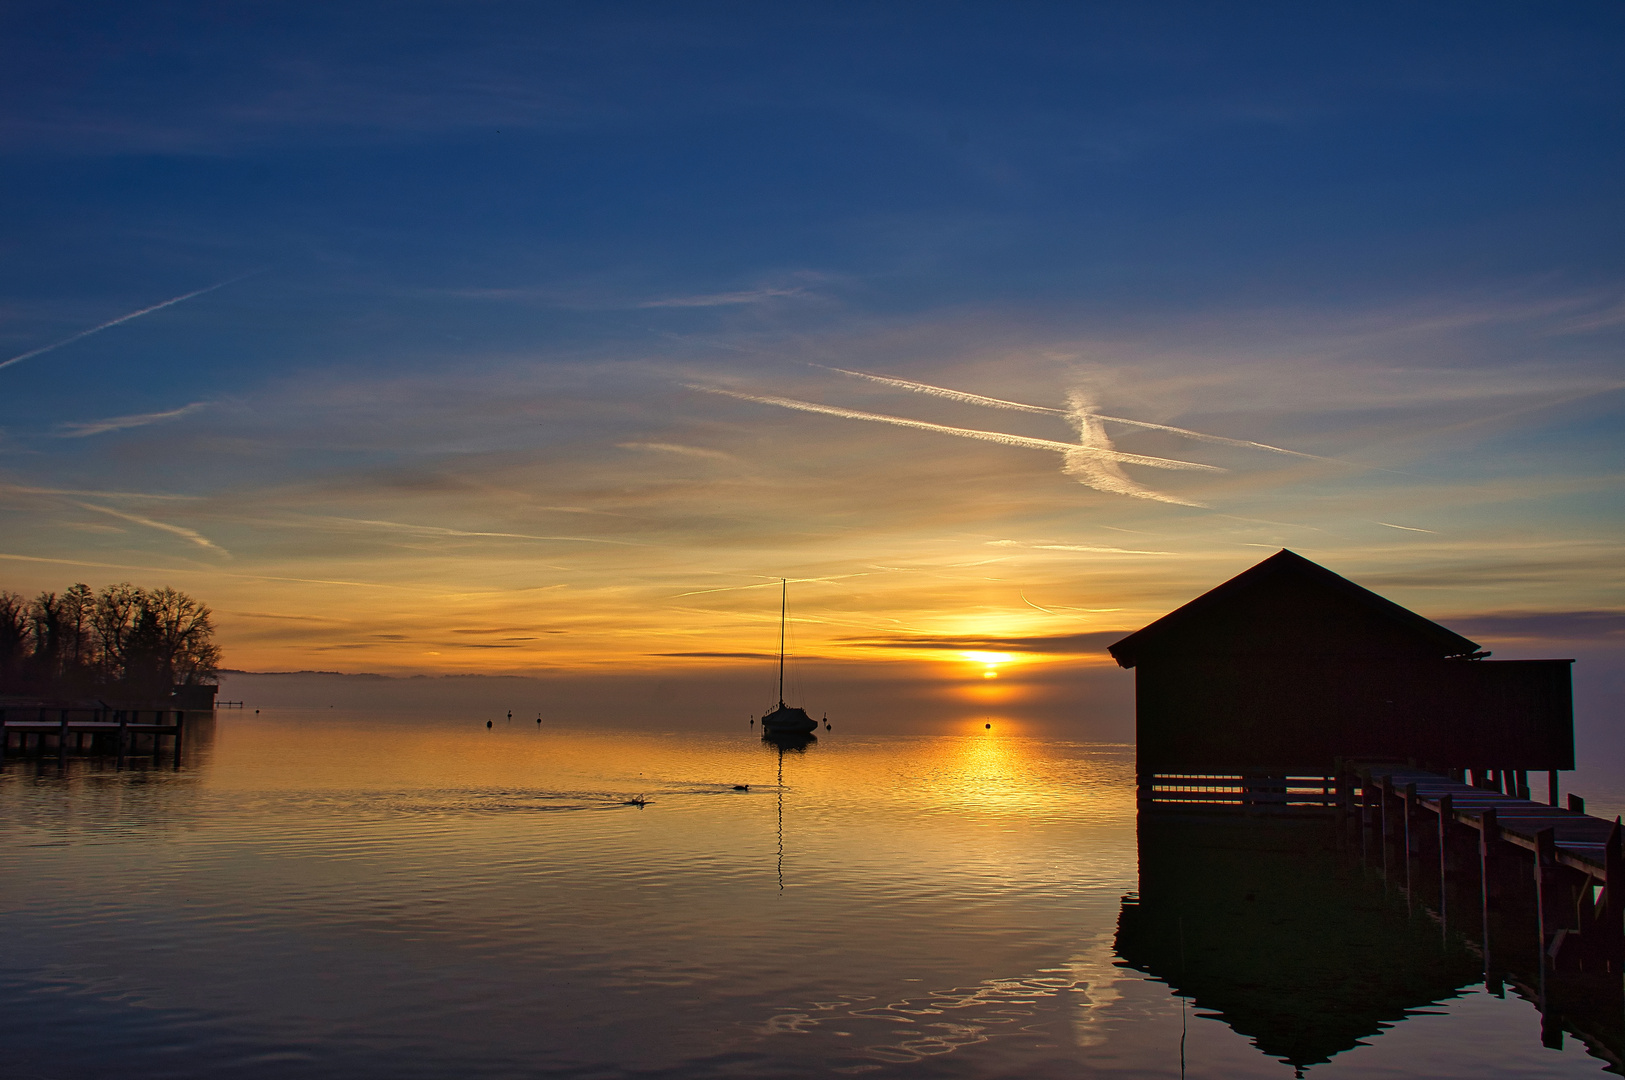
124	641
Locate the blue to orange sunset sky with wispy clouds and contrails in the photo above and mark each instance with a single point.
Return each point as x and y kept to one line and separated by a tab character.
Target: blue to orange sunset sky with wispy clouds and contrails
522	337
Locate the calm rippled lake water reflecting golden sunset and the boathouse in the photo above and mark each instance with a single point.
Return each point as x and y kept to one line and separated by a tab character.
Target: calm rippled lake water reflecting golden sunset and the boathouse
334	896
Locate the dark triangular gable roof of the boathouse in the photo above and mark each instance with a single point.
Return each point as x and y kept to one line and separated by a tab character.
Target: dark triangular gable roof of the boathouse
1289	607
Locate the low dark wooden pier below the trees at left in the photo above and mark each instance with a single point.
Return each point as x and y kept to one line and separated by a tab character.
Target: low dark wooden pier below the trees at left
119	733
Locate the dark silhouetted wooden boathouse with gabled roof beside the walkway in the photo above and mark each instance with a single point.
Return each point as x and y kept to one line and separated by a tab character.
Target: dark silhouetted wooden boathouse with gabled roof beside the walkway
1288	670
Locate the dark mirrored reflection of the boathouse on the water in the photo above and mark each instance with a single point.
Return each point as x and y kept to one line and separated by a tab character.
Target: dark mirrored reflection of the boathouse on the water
1267	930
